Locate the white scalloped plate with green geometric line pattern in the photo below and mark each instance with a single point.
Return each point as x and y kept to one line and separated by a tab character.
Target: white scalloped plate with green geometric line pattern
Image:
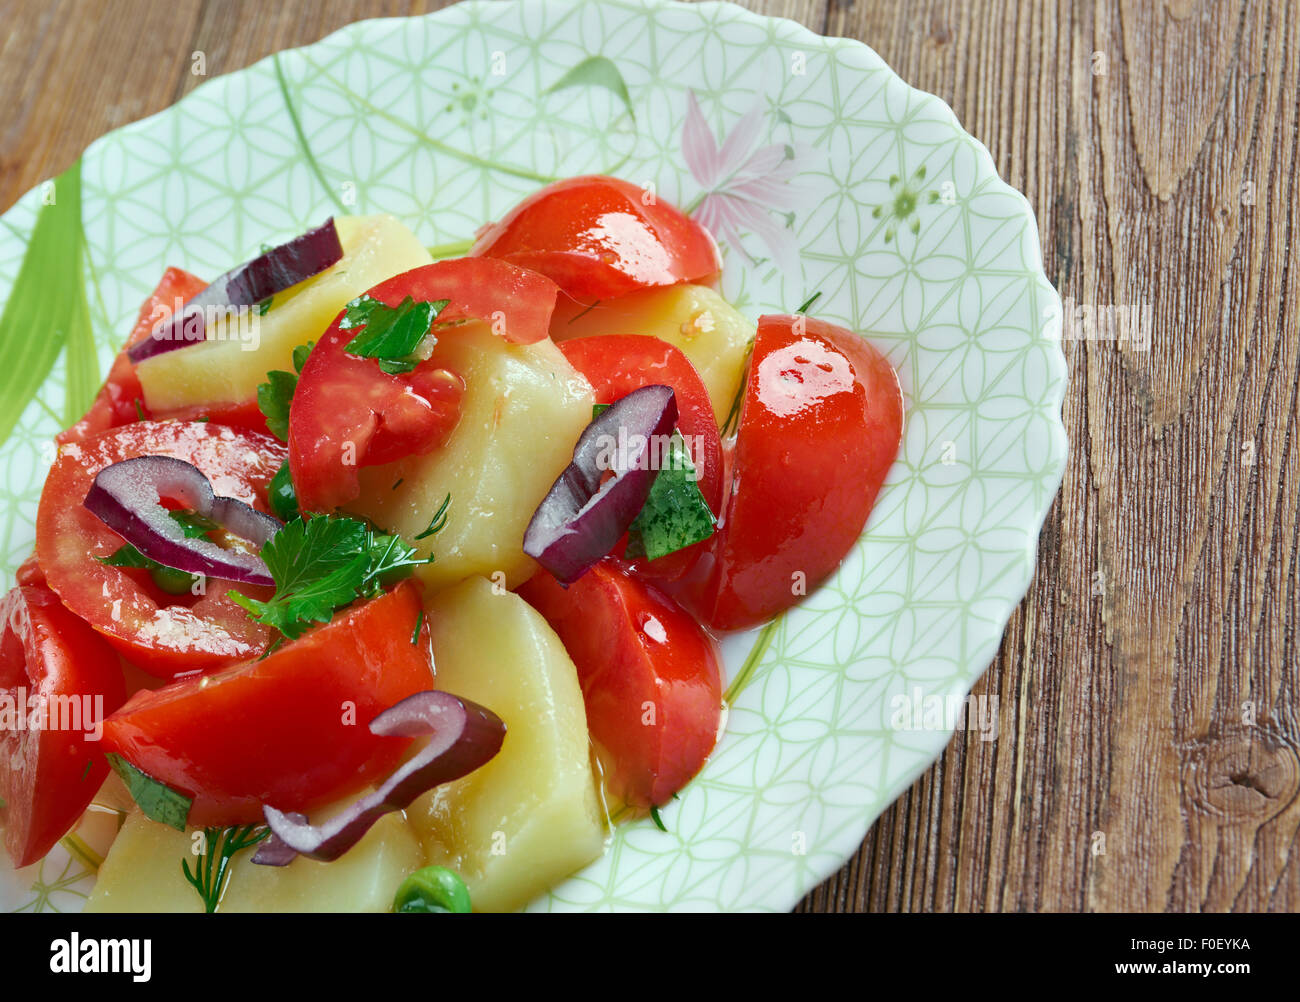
447	122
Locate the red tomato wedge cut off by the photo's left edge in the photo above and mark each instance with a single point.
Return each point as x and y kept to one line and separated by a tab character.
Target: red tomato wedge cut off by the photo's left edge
50	774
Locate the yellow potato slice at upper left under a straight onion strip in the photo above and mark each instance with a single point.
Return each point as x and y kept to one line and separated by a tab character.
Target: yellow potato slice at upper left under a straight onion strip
227	368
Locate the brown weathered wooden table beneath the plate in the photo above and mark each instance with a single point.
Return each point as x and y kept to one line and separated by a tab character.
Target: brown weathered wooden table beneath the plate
1149	684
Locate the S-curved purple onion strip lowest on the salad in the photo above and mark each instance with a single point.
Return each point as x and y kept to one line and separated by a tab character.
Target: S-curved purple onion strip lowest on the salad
463	738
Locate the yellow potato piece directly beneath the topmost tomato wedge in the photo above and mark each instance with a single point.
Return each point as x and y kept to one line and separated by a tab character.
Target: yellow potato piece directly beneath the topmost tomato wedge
695	319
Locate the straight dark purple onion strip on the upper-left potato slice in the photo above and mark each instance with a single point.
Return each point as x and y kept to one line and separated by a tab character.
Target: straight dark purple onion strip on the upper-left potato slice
245	287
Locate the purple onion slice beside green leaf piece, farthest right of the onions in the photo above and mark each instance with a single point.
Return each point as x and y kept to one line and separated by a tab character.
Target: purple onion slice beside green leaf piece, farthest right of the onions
580	519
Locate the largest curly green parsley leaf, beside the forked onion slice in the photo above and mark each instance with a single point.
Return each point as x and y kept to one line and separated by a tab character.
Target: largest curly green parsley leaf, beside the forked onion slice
322	565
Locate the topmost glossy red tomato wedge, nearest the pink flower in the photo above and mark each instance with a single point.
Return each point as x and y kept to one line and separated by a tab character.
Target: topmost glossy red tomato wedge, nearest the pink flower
600	237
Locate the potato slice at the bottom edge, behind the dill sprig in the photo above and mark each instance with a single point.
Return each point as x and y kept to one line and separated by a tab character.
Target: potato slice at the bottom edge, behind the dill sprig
142	873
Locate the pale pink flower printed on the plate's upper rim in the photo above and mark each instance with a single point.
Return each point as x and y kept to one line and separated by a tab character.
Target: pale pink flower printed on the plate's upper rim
747	186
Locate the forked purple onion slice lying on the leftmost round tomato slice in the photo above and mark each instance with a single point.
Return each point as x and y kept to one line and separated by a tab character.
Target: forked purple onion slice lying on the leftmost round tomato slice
128	496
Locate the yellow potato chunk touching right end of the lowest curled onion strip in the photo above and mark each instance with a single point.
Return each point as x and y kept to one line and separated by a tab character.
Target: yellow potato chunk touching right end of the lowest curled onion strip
532	816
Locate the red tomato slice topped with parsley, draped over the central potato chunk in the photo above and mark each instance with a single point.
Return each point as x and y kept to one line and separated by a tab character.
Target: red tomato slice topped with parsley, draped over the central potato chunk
348	413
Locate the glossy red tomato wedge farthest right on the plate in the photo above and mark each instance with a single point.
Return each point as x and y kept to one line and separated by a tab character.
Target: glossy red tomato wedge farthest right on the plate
821	426
